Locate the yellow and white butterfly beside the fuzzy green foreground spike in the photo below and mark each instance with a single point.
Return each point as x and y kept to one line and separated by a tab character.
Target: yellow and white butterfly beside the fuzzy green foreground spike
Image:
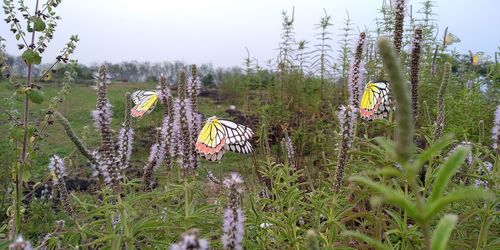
375	100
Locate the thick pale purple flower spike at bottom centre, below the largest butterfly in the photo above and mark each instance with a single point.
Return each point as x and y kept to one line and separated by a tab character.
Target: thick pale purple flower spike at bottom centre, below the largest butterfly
233	226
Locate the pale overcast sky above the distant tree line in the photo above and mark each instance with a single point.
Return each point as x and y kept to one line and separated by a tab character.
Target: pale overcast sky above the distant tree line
217	31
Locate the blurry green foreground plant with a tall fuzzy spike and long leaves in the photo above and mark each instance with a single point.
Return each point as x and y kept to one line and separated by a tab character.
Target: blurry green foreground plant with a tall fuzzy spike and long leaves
420	206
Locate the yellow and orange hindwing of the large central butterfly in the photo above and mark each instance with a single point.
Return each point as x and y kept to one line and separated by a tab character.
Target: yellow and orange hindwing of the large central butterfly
211	140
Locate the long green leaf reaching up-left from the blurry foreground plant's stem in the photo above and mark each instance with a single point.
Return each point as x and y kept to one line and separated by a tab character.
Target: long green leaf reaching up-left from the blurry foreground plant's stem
390	195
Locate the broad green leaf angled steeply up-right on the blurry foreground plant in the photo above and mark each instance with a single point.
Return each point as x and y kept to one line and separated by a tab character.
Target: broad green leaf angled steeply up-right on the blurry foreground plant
447	170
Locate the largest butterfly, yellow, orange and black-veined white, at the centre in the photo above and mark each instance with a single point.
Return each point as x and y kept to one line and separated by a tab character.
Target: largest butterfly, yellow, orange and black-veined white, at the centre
218	135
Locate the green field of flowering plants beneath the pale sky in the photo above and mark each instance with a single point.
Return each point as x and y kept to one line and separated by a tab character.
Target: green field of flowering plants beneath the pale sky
395	145
